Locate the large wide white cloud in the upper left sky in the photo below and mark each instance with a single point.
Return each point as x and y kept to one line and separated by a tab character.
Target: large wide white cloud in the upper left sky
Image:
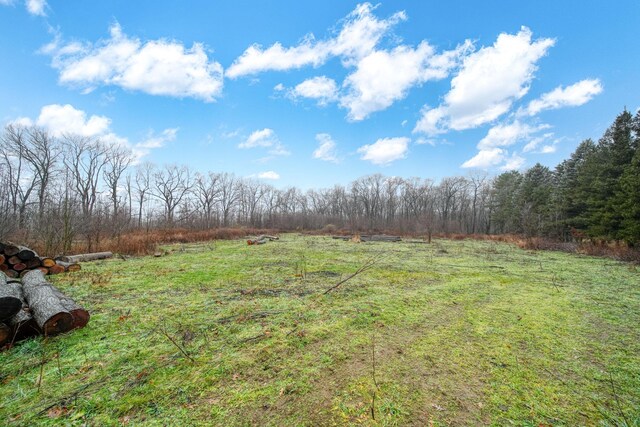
156	67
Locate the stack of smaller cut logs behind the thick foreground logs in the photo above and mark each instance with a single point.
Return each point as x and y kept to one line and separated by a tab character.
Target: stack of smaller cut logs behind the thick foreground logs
16	261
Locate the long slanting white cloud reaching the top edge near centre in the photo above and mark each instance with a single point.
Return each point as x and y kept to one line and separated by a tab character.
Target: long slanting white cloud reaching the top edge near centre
361	31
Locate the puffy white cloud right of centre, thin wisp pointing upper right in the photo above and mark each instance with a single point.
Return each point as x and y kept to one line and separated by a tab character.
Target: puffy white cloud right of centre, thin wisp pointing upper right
384	77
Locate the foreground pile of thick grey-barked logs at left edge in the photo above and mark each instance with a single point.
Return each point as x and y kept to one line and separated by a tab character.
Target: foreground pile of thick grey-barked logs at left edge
34	306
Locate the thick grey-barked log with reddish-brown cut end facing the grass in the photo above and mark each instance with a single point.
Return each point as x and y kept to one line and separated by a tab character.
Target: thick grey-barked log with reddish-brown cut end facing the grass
50	315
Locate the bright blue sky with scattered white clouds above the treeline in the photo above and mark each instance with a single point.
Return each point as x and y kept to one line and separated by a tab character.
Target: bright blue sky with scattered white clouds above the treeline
319	93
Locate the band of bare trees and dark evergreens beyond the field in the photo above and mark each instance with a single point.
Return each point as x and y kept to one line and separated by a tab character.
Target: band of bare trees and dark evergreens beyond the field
59	191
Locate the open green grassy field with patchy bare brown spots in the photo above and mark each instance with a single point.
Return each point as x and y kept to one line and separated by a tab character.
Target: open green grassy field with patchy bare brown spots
451	333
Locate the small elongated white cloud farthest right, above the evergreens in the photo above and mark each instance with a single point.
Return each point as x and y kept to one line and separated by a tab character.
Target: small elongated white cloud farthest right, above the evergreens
572	96
